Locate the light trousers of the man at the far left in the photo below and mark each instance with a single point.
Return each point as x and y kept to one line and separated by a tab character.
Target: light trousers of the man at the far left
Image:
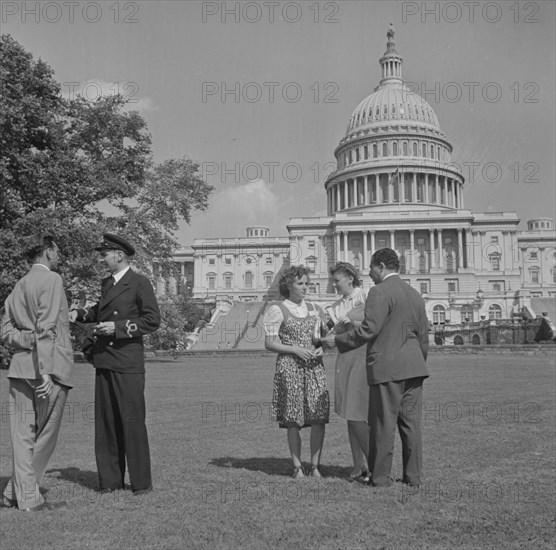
34	425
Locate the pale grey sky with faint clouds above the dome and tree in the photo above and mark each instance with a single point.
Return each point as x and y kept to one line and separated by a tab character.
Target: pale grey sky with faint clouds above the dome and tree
260	93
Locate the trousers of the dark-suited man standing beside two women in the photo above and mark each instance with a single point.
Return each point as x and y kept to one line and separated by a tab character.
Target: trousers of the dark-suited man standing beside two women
390	404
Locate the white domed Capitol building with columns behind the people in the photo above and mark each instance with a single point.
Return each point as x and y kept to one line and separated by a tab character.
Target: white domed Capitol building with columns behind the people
394	186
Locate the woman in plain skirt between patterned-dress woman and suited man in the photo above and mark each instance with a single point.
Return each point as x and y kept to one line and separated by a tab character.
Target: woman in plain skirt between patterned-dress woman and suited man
351	392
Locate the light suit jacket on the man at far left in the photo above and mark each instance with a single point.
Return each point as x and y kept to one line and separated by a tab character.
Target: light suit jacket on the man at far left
36	324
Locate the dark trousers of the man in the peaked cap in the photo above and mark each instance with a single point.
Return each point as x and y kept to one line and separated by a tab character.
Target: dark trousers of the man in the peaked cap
120	430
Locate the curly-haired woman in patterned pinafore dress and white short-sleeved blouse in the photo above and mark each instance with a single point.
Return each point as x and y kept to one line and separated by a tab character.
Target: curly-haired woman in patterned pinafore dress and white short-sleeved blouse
300	397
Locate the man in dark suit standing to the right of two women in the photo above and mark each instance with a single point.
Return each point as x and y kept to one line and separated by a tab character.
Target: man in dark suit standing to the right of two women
395	329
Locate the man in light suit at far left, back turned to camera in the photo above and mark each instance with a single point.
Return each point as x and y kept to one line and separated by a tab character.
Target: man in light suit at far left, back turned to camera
36	324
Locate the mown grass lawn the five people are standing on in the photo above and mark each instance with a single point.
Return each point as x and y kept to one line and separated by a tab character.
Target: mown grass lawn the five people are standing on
221	468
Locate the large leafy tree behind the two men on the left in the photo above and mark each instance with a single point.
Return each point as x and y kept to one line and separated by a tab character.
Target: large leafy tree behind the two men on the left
80	168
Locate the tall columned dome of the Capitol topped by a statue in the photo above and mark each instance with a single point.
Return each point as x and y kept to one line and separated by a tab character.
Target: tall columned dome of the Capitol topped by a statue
394	153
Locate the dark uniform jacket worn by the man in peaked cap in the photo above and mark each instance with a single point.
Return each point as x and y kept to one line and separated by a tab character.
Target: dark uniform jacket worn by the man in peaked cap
132	306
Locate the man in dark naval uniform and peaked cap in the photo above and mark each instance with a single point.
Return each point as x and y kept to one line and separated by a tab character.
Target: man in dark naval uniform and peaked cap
127	310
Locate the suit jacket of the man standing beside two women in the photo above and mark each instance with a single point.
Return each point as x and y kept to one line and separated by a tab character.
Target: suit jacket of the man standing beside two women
395	329
